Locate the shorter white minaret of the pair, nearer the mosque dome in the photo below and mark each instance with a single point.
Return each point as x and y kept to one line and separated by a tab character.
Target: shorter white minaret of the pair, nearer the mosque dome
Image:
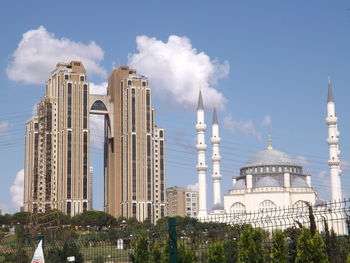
216	158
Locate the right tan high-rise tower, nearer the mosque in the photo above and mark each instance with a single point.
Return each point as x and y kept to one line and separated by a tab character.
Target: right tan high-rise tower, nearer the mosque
134	150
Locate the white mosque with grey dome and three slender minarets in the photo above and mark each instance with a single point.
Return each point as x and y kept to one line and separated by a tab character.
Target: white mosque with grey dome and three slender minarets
270	179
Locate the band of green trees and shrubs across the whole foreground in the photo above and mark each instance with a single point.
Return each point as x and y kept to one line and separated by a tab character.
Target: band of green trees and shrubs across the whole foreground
93	236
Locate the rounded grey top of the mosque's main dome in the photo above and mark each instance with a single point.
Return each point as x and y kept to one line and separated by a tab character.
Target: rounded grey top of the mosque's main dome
270	157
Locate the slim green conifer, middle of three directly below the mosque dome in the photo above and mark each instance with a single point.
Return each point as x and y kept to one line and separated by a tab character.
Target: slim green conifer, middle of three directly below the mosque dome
279	249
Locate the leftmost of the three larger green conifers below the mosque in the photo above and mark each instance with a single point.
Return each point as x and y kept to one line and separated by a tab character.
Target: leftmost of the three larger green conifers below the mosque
250	246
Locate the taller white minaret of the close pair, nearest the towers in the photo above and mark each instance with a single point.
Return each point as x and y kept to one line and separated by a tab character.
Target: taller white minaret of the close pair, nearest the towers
201	166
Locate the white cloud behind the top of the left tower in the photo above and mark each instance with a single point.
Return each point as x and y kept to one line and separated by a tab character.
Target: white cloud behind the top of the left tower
39	51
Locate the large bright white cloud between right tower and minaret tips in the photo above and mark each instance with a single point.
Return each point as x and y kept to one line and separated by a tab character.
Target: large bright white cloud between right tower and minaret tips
177	69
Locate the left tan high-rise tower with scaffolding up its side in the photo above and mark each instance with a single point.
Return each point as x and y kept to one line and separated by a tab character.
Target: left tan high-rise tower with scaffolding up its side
57	145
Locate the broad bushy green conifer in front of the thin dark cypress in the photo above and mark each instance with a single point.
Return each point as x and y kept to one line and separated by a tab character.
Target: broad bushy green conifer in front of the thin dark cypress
310	249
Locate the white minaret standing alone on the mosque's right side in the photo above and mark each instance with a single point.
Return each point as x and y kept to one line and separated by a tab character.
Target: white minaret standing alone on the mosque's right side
333	145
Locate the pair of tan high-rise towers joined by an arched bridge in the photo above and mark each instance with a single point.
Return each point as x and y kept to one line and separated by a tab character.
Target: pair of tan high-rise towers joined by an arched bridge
57	146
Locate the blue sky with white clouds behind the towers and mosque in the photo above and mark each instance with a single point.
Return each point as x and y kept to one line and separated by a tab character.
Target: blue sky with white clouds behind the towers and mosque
263	64
